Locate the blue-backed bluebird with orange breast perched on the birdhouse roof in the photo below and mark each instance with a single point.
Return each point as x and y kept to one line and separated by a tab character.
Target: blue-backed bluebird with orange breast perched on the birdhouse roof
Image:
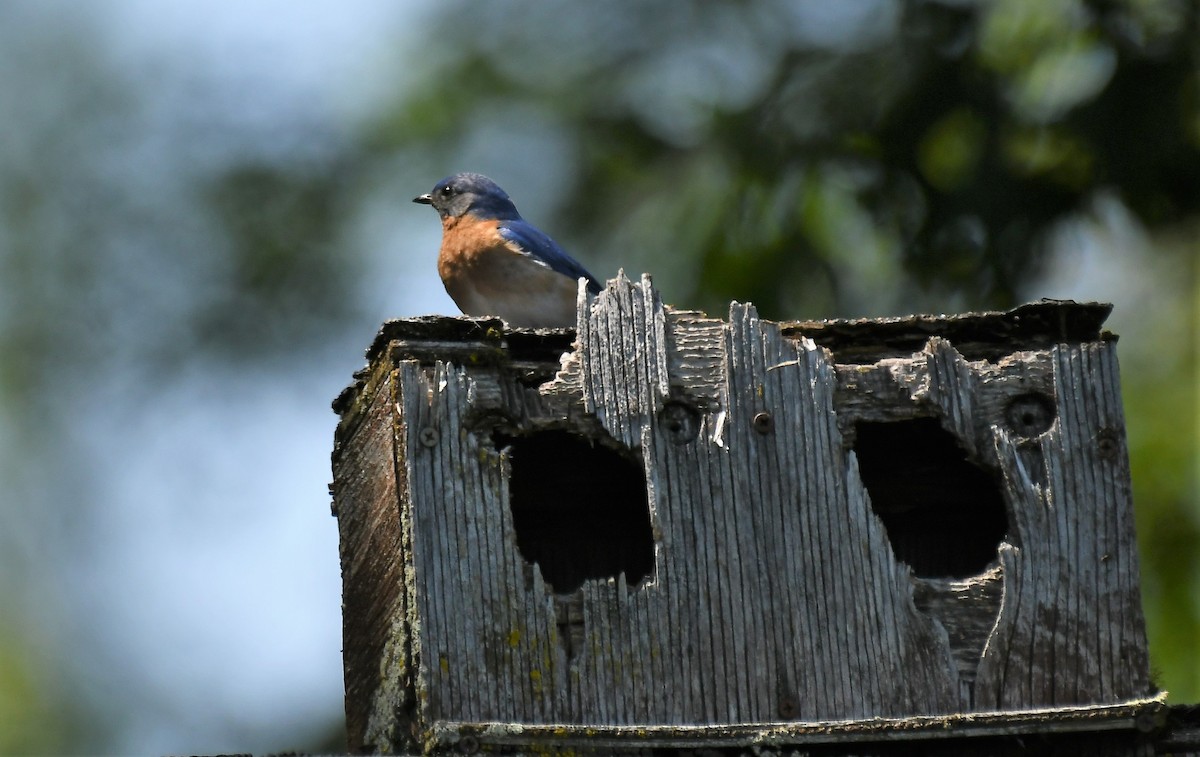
494	263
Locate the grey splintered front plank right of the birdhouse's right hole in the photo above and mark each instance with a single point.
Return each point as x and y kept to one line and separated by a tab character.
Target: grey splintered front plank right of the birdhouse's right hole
1071	629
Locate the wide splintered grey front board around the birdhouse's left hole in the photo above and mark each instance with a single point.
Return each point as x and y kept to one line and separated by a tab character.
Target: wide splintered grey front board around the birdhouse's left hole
775	596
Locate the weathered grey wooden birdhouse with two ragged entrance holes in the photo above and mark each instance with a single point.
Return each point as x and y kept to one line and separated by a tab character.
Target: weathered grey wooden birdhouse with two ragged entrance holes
675	532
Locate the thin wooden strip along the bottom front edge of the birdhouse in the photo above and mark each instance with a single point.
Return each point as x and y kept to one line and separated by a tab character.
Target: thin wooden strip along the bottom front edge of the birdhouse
1136	716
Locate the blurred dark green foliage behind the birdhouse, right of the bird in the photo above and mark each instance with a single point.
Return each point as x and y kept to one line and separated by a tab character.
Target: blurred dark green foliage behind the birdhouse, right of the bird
865	159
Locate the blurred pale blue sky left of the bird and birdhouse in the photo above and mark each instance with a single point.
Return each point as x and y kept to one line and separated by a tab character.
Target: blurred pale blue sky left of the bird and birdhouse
170	551
